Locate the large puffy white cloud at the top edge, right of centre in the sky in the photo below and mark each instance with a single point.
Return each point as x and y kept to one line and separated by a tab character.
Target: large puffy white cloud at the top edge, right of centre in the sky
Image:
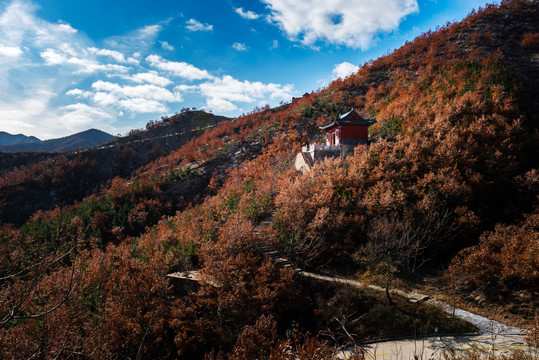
350	23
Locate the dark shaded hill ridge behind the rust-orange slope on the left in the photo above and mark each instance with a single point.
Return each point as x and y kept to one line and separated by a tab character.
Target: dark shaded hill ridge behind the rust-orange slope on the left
37	180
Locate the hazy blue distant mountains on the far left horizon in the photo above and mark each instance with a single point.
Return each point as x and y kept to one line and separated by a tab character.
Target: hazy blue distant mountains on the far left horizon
88	138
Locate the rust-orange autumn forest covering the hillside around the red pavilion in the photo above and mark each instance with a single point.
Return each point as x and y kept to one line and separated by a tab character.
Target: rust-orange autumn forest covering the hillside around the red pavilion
444	196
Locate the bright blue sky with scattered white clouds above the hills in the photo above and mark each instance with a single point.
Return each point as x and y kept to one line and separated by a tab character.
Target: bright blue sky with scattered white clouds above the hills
67	66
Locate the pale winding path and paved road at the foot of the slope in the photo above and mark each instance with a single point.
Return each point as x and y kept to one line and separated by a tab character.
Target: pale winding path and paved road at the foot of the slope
492	337
